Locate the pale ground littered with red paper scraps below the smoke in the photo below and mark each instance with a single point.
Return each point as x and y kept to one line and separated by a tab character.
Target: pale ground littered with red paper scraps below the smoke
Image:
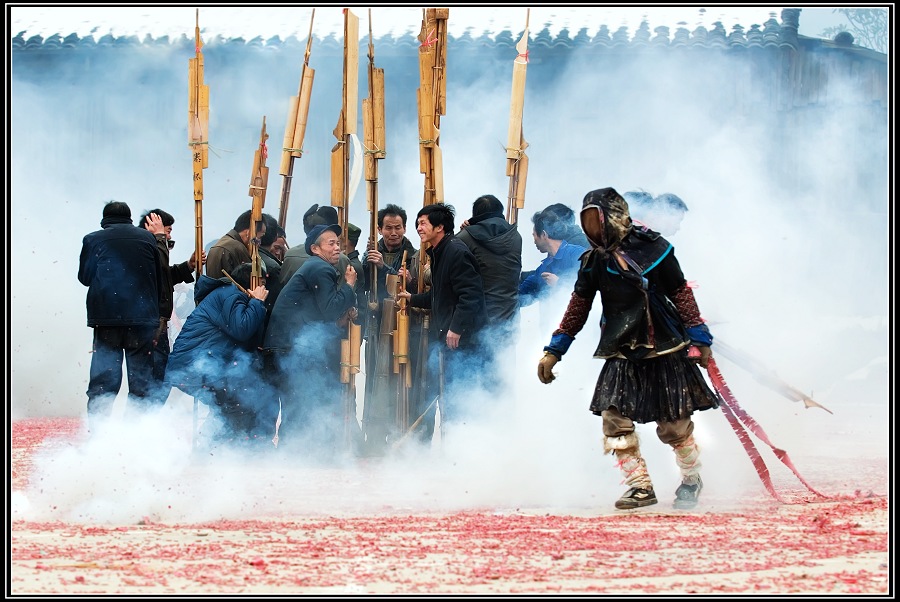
838	547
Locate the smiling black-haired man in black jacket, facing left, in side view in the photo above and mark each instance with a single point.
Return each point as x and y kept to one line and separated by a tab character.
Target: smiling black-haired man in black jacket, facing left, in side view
458	316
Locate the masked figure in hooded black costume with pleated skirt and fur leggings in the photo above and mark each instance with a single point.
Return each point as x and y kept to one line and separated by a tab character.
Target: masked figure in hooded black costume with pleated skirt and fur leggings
652	340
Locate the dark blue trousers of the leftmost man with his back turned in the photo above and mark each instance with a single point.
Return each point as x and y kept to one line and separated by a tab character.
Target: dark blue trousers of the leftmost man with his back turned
112	345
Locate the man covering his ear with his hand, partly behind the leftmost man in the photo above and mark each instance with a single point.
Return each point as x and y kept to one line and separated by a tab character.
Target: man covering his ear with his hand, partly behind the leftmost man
171	275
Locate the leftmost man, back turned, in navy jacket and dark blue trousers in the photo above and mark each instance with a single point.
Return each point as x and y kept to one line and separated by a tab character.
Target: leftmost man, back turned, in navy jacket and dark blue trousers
122	269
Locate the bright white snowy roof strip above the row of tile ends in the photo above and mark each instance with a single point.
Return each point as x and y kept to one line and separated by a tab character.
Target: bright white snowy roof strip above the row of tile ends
268	21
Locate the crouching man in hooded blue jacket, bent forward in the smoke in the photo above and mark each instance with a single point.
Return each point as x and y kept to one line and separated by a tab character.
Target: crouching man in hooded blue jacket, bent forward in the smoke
214	358
